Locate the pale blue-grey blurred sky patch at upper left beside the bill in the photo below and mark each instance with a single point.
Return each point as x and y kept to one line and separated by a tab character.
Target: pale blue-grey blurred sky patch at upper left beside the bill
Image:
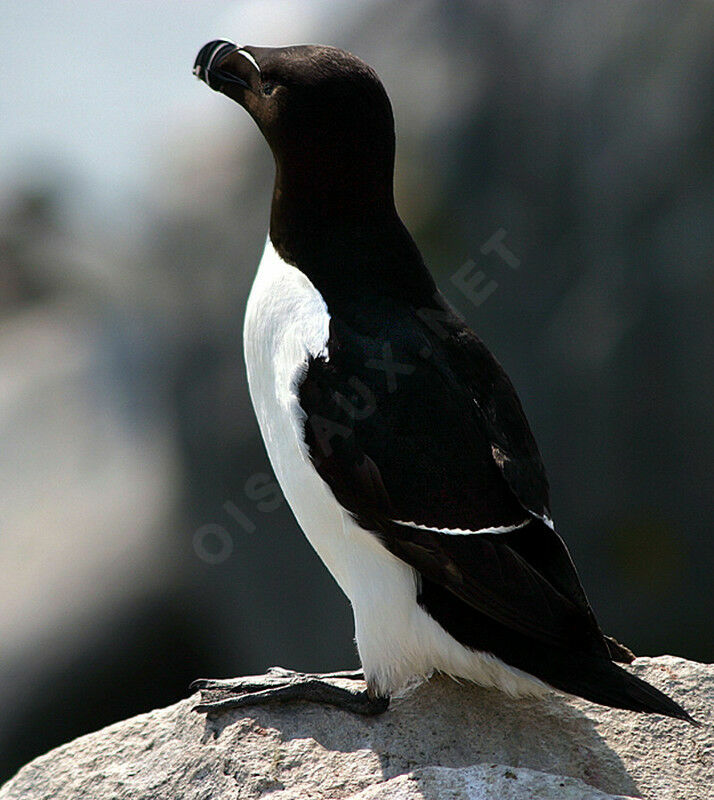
90	90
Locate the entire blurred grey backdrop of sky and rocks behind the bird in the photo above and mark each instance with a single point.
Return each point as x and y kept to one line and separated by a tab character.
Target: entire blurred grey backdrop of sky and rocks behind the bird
141	541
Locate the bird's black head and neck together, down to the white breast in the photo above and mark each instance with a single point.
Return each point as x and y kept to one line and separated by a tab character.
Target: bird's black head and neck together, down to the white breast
329	124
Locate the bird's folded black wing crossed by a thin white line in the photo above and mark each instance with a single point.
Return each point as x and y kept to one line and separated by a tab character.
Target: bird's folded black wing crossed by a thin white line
421	437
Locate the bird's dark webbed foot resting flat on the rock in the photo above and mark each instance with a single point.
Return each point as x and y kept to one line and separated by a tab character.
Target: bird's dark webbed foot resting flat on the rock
283	686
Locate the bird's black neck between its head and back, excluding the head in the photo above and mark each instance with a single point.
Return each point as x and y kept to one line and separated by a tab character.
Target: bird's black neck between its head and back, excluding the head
341	228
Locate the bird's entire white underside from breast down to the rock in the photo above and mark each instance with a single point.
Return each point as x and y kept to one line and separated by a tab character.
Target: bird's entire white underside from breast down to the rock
286	322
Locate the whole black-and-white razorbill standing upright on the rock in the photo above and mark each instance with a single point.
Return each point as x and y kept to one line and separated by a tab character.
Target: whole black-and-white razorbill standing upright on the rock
397	438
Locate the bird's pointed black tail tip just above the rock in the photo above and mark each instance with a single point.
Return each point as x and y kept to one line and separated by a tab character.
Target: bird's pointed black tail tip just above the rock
610	685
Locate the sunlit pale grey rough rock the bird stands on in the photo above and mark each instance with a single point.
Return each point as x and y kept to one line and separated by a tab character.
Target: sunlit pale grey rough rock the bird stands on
443	740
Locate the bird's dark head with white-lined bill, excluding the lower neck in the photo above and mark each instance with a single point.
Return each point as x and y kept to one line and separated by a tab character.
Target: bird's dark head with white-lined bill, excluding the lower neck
316	106
